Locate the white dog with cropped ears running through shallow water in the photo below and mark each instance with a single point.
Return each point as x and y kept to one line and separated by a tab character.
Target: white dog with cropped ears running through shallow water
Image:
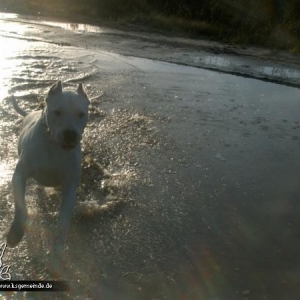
50	152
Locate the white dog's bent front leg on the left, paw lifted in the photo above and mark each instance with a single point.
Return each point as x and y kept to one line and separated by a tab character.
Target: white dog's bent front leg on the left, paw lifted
18	226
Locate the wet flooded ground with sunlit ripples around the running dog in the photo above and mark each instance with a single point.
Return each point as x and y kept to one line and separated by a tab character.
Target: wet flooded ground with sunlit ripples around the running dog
203	198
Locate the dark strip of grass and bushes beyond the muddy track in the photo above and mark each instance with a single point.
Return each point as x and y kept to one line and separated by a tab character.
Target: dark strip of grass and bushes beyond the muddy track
272	23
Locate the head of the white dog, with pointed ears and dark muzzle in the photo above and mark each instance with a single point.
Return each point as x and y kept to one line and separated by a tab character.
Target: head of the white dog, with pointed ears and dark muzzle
66	114
